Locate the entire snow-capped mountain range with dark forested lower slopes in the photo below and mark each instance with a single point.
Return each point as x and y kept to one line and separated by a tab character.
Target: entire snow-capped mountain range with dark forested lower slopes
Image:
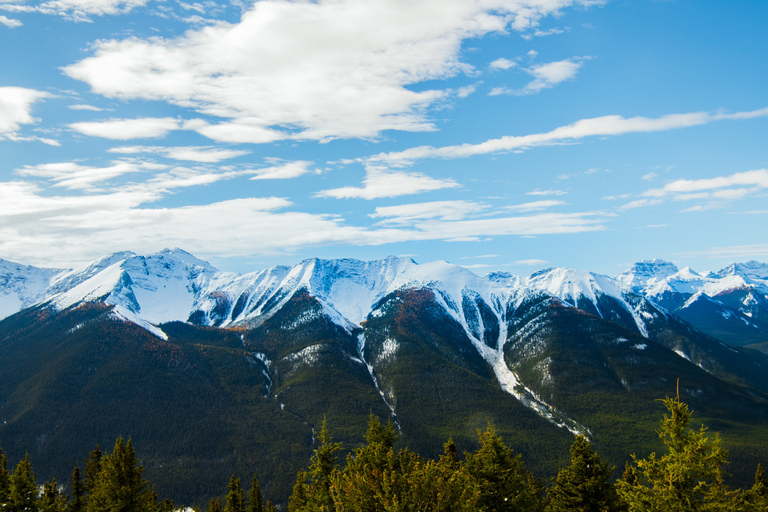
213	373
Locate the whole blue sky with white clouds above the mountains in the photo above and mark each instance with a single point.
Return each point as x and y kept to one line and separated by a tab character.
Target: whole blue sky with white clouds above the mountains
505	135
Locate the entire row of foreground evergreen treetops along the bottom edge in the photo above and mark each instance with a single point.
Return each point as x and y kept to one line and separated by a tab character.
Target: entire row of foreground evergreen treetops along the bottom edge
689	475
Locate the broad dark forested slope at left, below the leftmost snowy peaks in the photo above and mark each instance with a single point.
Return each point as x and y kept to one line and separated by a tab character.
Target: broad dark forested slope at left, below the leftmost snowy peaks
194	405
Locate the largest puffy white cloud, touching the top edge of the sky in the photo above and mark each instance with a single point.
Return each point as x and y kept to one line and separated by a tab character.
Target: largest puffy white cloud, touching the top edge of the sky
308	70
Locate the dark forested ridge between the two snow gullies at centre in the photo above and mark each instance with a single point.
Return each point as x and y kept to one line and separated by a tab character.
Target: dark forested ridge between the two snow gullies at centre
441	387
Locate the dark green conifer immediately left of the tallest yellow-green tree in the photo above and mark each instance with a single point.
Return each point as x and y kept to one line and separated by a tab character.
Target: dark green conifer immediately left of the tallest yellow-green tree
584	485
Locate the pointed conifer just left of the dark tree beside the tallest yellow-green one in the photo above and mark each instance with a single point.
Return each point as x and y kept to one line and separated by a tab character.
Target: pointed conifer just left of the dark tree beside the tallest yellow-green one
504	483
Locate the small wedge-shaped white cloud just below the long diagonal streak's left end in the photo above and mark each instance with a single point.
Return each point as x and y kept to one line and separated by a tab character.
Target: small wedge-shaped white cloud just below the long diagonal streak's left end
380	183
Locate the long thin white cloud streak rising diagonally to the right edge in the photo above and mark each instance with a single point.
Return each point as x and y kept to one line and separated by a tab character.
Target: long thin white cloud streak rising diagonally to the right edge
596	126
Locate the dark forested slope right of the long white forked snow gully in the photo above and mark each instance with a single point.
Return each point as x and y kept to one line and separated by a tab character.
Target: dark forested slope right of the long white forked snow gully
608	378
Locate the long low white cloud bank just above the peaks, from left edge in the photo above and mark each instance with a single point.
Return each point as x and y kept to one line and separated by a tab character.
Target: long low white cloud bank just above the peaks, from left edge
83	226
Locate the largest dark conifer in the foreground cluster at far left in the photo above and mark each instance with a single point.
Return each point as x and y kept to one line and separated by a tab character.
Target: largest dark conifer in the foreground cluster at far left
119	486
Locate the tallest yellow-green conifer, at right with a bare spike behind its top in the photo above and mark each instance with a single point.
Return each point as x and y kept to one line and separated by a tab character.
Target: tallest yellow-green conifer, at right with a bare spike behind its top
689	477
